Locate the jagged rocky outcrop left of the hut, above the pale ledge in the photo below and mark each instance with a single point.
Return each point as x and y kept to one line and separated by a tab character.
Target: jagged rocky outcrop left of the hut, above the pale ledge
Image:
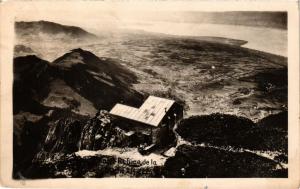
68	135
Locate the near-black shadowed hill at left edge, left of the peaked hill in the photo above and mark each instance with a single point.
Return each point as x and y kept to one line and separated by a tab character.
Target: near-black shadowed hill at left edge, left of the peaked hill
31	84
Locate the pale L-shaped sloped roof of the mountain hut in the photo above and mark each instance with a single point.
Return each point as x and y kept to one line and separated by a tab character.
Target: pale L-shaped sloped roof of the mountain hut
151	112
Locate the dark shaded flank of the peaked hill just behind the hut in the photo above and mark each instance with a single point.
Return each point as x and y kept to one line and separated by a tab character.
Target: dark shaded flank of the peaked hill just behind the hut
103	82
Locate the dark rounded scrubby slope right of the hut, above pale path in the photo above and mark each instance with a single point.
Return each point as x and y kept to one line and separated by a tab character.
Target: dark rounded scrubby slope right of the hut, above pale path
224	130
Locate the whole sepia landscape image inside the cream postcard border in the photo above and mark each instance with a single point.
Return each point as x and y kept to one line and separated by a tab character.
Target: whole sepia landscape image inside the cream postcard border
151	94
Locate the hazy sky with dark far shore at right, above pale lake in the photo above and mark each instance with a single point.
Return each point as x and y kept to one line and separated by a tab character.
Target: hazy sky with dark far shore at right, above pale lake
108	19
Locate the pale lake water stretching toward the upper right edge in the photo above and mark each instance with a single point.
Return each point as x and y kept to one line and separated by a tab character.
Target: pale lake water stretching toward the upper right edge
268	40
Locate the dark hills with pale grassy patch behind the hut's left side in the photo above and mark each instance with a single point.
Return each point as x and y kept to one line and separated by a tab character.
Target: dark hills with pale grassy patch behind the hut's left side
78	80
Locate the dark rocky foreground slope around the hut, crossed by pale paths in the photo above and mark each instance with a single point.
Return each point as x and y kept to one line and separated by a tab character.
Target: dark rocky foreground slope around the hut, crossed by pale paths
221	146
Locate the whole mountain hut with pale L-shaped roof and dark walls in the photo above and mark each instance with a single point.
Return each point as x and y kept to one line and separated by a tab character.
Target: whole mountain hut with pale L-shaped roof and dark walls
156	117
